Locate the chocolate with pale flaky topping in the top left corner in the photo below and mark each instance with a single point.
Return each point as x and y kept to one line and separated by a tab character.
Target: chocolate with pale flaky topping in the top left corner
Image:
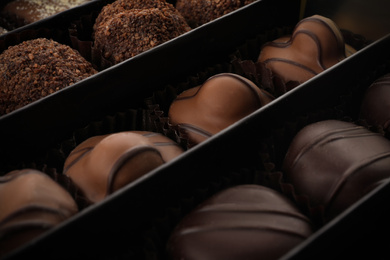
23	12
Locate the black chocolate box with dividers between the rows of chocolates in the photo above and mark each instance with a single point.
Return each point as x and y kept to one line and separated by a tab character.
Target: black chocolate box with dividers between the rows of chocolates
136	221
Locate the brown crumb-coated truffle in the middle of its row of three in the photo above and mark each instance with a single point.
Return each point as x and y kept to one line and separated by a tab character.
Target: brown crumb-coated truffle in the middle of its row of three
122	35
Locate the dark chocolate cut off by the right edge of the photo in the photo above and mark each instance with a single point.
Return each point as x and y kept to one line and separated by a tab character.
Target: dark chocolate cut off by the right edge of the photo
375	107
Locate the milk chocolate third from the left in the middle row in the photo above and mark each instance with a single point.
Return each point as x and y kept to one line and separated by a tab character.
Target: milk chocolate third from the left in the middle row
222	100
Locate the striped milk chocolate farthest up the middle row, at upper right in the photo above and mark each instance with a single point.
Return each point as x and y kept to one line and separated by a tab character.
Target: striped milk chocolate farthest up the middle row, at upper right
316	44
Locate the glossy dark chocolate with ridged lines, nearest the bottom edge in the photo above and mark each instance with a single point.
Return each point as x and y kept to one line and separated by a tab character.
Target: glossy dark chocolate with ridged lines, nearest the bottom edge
243	222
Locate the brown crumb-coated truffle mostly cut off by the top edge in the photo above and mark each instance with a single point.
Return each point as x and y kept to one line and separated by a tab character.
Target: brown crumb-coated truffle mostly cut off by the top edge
198	12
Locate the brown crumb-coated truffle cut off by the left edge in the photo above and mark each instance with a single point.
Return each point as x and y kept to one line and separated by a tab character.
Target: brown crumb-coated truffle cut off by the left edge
36	68
